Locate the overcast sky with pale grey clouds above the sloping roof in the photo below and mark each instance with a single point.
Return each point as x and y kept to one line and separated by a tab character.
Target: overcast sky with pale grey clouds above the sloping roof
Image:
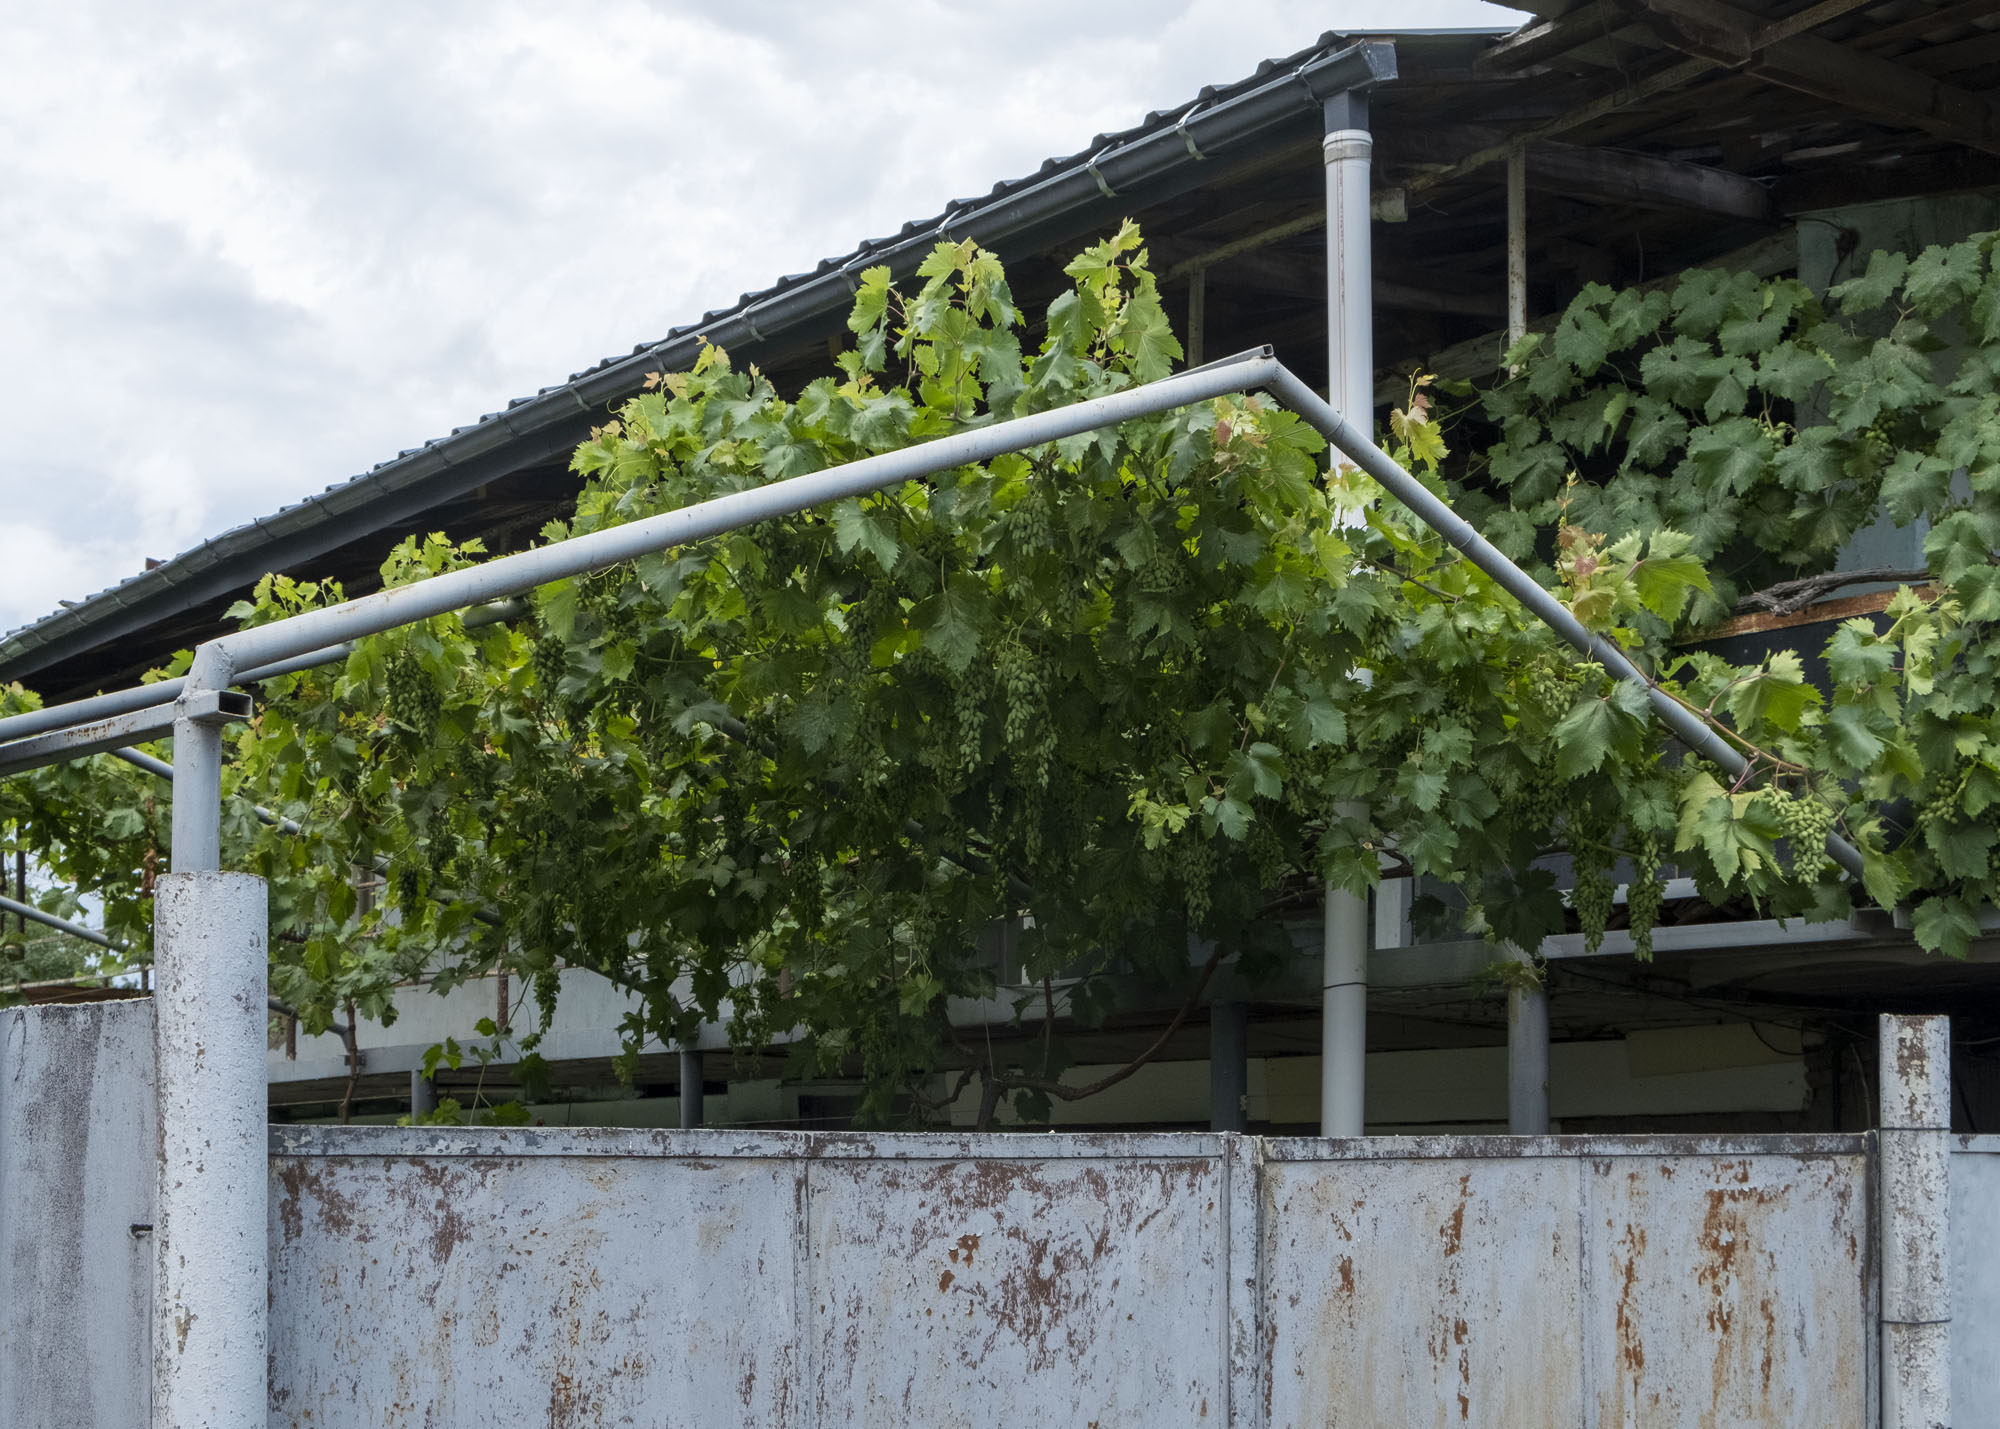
251	251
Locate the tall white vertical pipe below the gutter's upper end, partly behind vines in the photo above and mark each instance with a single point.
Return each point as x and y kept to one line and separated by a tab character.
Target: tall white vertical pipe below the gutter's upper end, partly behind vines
1351	389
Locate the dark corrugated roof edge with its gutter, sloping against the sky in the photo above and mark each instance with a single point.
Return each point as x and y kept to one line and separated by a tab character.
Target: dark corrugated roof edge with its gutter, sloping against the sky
97	619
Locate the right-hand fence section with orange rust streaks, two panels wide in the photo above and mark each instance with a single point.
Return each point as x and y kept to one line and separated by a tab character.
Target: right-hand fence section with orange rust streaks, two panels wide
1569	1280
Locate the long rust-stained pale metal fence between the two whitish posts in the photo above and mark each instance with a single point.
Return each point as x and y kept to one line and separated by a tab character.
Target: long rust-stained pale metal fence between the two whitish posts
1123	1280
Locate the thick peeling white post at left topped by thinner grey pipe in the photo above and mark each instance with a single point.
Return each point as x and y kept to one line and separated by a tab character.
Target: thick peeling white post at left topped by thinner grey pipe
213	1262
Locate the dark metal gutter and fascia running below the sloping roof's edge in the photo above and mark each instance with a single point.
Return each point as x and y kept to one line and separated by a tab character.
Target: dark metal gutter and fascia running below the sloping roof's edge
1157	161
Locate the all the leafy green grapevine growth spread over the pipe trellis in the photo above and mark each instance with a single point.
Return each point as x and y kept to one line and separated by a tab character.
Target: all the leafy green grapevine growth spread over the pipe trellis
1117	691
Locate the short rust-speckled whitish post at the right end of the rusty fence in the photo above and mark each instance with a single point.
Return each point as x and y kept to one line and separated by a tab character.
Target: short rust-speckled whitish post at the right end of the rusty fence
1917	1226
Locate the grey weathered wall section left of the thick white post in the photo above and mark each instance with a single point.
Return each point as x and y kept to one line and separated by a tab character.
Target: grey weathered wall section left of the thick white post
77	1166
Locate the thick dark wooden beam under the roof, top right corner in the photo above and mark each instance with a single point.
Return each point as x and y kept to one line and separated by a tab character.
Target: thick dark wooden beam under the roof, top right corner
1831	73
